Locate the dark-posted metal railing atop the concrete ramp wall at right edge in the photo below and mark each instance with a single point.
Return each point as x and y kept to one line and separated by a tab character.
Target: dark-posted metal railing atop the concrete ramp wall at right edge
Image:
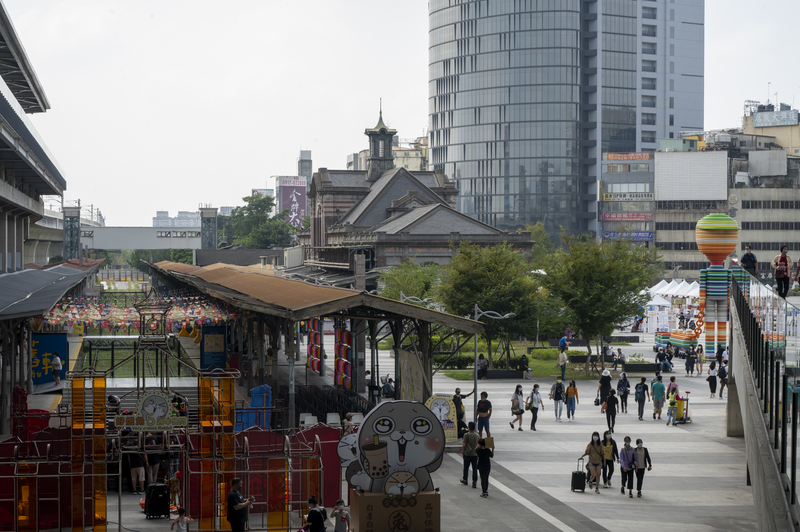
769	327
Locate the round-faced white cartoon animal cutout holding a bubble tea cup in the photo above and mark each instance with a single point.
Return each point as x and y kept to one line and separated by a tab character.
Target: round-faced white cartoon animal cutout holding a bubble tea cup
398	437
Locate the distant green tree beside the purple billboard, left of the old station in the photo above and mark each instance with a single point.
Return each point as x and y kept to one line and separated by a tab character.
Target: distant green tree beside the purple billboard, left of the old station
253	226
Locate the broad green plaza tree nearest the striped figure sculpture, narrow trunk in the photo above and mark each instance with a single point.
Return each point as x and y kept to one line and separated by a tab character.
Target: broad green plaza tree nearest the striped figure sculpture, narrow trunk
601	283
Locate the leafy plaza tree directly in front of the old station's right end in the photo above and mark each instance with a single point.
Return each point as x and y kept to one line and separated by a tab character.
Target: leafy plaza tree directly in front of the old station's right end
496	279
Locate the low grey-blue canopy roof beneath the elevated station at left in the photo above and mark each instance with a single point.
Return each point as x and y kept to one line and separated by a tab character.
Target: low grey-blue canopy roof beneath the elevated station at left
30	293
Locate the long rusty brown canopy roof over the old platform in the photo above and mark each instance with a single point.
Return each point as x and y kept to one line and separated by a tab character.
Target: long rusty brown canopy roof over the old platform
298	300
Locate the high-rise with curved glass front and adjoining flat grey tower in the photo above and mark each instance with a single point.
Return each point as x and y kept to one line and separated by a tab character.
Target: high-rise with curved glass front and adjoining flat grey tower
526	96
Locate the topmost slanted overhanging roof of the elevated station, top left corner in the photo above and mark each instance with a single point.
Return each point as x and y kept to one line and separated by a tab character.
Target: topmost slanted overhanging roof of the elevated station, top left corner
17	71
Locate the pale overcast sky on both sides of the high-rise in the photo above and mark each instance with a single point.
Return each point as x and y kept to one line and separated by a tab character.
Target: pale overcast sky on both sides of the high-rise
164	105
